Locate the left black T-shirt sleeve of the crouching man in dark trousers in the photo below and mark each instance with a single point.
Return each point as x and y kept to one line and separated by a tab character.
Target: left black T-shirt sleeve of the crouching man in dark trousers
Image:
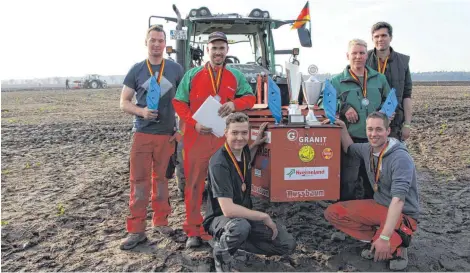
220	181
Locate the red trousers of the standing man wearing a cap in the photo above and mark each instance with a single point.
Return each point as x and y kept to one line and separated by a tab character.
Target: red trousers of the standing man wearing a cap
197	153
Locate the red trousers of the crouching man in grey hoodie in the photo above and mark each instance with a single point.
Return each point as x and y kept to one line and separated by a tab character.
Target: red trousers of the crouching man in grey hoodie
361	218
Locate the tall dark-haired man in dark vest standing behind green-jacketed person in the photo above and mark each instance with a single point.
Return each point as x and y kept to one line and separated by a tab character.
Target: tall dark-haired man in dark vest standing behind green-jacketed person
395	67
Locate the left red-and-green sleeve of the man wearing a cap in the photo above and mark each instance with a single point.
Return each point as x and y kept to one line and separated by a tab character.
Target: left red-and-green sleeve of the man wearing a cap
181	100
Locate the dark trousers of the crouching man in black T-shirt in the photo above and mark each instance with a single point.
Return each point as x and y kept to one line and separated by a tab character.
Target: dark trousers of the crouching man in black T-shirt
251	236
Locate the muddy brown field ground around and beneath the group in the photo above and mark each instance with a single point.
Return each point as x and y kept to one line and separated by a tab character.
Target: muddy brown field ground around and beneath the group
65	192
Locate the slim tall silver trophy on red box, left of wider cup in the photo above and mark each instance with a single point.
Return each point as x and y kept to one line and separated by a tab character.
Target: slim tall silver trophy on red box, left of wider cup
294	80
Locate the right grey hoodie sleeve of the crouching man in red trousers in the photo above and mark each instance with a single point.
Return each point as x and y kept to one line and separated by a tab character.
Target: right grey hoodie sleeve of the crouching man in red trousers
402	175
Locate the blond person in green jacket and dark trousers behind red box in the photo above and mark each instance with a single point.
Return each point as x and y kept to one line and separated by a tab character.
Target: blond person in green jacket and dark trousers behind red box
361	91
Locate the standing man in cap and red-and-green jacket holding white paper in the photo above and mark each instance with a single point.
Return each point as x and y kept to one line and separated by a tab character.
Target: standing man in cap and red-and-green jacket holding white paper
231	89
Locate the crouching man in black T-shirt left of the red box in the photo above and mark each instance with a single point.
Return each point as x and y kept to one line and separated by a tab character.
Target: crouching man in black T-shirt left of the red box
229	216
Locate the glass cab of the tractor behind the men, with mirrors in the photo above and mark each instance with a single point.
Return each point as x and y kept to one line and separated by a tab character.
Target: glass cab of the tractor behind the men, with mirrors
252	46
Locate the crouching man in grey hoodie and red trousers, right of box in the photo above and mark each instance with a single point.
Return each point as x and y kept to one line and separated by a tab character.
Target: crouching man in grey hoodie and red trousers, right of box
389	220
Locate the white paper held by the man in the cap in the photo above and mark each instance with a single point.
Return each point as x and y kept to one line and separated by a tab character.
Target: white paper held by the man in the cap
208	116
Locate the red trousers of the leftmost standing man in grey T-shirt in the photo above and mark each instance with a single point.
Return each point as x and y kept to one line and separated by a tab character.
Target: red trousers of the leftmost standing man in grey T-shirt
150	155
